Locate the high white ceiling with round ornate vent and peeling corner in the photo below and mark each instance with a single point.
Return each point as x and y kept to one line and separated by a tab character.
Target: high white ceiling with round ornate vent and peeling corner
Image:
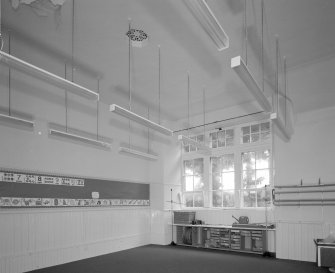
306	30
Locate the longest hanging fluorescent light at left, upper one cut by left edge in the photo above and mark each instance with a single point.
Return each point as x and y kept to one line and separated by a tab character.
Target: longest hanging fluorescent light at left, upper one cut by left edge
42	74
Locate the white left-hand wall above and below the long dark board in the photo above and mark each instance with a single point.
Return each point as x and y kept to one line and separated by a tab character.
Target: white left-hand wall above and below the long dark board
35	238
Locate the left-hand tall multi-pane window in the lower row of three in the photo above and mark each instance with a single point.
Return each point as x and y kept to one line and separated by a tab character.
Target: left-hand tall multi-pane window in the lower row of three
194	182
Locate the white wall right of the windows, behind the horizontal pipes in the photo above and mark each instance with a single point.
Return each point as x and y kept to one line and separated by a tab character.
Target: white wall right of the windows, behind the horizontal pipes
308	156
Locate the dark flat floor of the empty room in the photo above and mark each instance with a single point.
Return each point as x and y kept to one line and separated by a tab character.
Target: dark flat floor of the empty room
178	259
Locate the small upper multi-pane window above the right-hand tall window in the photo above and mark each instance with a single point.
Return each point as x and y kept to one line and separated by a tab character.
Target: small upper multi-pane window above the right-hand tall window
255	133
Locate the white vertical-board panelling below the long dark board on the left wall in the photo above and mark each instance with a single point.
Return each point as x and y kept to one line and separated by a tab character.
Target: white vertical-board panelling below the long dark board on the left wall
37	238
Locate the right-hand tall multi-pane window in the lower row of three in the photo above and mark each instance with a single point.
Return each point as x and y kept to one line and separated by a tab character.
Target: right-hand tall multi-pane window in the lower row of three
255	176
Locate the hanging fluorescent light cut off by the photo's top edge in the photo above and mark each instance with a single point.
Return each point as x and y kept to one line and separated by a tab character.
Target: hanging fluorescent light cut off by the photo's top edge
209	23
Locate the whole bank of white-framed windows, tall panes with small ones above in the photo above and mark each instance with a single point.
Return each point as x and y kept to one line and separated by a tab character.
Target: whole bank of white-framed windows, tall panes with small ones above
236	174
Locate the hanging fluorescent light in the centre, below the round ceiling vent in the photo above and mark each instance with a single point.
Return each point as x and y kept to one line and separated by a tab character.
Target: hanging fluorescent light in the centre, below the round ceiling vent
141	120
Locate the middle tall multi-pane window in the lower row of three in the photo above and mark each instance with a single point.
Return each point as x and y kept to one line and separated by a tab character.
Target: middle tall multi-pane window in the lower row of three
223	181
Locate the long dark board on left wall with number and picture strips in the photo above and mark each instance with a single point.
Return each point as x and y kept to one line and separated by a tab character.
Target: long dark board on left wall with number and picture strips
19	187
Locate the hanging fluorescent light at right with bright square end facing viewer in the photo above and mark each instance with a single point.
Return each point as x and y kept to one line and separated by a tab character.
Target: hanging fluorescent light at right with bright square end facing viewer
242	70
